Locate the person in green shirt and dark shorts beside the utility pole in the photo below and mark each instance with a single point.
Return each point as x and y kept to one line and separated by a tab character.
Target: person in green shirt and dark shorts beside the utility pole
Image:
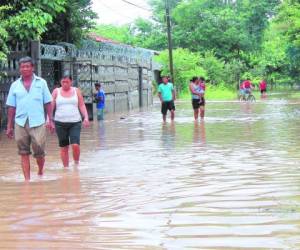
166	94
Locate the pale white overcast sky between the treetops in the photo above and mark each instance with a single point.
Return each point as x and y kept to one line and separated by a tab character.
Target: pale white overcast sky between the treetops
120	12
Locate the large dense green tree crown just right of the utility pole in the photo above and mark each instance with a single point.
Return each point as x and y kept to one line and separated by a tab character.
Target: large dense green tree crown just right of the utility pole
223	26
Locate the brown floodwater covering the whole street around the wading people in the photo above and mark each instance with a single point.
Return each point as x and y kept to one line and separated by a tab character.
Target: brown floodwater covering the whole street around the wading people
229	182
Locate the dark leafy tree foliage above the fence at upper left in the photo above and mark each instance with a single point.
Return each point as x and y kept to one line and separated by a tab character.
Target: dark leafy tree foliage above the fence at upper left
50	21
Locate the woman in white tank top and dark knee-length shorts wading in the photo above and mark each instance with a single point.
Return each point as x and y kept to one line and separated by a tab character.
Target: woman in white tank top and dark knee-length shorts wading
69	109
